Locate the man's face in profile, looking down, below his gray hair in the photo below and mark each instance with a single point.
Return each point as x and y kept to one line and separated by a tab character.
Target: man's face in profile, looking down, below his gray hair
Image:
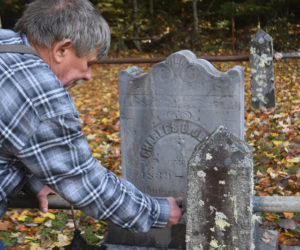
74	68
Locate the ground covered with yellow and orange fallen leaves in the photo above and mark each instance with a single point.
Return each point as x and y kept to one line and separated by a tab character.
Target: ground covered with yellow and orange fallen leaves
272	132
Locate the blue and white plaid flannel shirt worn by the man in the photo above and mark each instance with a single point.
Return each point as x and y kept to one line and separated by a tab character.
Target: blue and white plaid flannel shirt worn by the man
40	131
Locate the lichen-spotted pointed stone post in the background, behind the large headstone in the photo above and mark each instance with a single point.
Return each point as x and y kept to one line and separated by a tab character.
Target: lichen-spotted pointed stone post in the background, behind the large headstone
262	71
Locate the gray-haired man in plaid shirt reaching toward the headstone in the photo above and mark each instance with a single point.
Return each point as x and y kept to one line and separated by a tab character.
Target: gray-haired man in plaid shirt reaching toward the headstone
40	133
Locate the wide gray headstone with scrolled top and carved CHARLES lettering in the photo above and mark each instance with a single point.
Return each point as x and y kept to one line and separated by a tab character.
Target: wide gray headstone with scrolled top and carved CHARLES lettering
164	114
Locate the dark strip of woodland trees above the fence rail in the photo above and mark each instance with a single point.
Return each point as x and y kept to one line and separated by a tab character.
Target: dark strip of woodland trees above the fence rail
202	25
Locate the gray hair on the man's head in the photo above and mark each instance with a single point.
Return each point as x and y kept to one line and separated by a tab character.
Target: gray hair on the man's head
48	21
